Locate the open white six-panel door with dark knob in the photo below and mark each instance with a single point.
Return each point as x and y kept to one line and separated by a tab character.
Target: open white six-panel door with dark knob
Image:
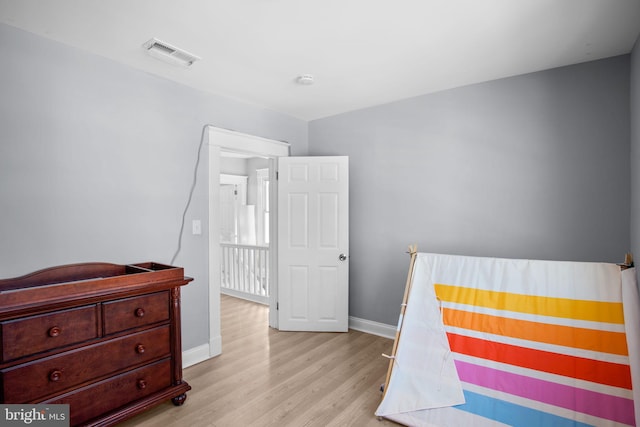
313	244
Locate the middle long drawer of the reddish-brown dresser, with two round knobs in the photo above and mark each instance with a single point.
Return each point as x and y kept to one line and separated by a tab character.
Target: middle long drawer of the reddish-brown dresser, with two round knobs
32	381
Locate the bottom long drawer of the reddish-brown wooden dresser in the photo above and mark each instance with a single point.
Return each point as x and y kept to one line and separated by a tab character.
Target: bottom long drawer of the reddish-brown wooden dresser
99	398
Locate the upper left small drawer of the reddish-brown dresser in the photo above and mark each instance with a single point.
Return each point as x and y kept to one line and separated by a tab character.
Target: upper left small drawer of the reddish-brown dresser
31	335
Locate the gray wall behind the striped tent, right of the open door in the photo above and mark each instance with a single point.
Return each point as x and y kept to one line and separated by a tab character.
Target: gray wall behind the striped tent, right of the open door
534	166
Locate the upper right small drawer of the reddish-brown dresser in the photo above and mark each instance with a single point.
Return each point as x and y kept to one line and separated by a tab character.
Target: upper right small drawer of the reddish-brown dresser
133	312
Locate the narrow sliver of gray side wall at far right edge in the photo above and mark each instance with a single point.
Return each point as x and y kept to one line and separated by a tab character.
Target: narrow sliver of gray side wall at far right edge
635	151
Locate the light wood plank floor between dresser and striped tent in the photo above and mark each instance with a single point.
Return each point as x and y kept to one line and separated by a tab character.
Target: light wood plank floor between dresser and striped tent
269	378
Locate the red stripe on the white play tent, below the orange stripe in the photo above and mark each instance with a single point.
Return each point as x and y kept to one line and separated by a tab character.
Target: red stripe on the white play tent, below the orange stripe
608	373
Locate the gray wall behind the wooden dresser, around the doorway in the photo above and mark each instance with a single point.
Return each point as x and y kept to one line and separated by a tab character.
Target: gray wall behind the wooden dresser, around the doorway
96	162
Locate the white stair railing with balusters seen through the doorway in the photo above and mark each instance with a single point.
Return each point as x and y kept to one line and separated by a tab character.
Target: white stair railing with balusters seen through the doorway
245	271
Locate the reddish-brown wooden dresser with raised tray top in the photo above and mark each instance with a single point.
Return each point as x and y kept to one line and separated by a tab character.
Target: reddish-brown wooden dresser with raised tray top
103	338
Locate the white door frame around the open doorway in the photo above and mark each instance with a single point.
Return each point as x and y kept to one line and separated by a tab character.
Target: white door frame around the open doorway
219	139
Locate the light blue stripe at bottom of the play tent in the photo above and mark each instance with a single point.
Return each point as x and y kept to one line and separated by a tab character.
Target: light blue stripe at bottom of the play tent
512	414
